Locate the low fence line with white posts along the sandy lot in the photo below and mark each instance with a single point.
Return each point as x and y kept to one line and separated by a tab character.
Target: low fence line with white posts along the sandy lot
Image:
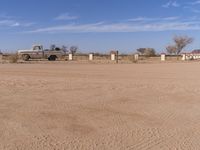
121	58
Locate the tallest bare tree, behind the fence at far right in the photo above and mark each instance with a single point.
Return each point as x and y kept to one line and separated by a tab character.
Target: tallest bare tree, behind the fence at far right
180	43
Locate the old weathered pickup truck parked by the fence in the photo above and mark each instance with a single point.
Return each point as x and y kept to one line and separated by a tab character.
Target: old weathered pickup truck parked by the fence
37	52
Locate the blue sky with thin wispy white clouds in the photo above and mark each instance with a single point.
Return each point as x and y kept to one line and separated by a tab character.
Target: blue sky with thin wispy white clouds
98	25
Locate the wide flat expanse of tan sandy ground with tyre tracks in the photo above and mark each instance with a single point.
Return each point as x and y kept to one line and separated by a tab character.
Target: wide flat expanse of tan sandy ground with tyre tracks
100	107
